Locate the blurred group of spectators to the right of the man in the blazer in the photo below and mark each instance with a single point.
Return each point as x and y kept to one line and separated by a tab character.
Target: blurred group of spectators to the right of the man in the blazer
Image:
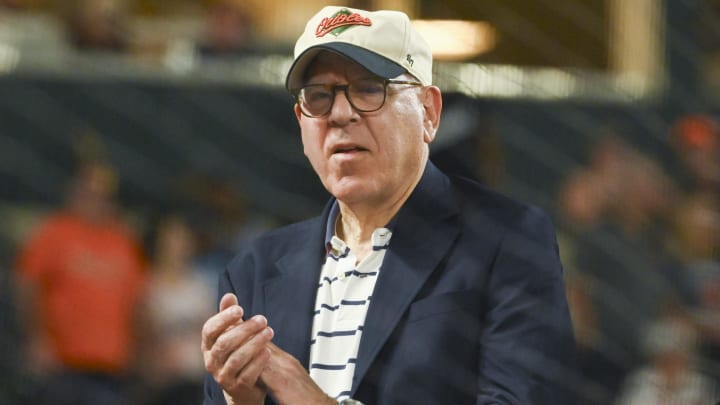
641	247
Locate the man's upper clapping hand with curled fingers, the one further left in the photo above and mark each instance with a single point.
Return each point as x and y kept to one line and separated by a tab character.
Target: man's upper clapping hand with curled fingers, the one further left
236	351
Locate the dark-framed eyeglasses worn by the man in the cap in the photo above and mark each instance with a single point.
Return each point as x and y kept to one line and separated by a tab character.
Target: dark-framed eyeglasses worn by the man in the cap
366	95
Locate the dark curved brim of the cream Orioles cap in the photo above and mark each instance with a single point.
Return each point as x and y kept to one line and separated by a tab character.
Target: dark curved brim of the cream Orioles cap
376	64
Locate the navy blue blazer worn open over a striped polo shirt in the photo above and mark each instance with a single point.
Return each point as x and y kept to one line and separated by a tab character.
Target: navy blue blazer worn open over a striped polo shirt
469	306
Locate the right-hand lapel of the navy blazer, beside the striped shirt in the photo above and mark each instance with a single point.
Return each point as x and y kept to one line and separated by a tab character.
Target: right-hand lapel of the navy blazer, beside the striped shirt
425	230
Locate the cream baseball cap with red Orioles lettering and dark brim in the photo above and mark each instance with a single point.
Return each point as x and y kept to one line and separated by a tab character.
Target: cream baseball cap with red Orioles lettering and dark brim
383	42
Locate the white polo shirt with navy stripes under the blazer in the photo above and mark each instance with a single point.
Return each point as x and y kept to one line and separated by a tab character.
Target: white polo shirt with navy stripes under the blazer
343	297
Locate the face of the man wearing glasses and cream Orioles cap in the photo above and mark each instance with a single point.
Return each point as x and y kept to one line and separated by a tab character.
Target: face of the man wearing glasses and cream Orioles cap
370	157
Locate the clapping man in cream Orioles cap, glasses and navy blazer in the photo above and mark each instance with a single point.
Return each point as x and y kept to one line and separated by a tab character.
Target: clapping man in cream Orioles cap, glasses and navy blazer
411	287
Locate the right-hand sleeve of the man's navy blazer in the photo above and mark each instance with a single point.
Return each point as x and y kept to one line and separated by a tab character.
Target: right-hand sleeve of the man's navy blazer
527	345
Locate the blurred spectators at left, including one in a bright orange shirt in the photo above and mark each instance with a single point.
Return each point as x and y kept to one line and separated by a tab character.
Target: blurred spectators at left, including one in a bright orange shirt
109	309
